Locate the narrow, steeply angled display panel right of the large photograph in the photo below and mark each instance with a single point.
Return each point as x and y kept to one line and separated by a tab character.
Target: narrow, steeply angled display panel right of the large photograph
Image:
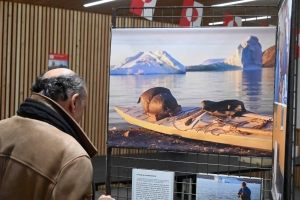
281	97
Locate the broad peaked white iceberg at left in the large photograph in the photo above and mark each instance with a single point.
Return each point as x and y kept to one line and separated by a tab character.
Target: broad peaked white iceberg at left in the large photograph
150	62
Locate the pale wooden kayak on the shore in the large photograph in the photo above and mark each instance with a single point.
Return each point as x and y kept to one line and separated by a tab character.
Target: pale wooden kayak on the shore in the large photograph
250	130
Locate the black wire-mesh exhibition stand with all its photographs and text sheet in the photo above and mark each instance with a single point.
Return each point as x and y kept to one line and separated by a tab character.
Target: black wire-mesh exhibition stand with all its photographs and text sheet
202	64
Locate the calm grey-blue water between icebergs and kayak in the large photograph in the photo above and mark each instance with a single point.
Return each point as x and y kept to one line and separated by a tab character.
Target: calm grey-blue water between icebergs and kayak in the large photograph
254	87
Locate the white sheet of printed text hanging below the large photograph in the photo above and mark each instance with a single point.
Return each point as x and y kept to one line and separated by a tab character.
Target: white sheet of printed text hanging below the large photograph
150	184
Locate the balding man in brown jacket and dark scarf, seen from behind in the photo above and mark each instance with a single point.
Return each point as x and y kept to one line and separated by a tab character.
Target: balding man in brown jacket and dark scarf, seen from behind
44	154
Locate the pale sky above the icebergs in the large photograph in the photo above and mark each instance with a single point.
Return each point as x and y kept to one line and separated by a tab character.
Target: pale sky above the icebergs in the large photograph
190	46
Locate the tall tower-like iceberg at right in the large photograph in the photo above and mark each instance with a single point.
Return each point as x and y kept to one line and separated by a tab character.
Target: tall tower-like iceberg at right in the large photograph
247	55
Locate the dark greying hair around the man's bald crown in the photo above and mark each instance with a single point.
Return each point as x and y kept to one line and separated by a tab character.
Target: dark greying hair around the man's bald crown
61	87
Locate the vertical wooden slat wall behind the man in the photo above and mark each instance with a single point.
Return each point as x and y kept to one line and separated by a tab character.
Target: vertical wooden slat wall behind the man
29	33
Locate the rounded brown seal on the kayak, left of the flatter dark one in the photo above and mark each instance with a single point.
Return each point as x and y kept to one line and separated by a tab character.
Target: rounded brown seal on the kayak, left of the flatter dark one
158	102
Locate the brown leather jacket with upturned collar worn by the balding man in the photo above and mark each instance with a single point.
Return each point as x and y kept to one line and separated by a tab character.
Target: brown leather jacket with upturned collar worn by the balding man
40	162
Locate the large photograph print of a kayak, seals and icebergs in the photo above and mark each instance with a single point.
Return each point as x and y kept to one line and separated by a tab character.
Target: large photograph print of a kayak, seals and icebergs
173	89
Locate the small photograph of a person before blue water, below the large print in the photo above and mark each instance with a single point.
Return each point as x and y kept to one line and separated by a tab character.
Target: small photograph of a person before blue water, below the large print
212	186
